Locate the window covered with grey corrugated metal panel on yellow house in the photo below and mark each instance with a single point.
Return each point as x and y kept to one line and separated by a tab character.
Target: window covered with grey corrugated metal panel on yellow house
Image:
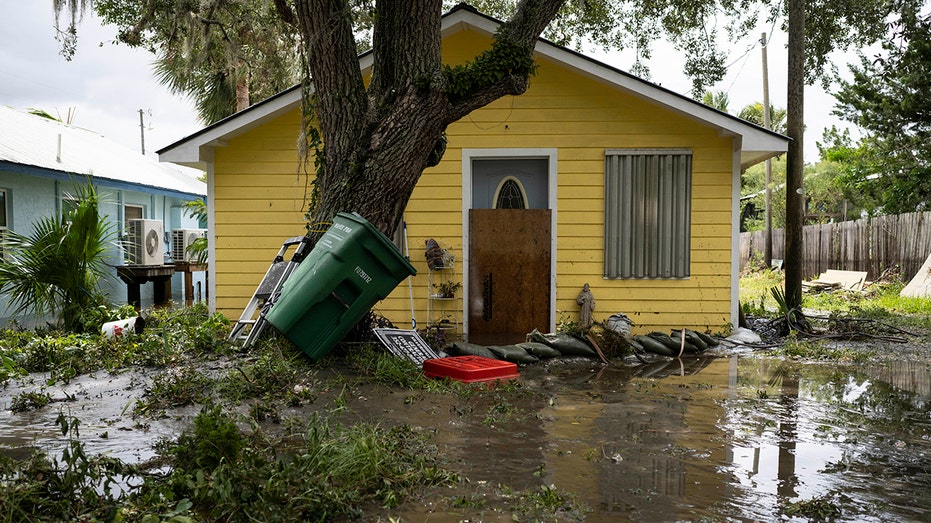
648	195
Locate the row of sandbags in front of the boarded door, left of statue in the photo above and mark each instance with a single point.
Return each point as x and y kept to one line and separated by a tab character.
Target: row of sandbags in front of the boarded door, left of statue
538	346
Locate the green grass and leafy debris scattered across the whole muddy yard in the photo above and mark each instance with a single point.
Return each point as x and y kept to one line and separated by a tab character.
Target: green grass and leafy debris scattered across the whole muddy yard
231	465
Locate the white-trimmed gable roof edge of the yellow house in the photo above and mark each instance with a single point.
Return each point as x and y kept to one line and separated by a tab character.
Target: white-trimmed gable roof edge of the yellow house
755	143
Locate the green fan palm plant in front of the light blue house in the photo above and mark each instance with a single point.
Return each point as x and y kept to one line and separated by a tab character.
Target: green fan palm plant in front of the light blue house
56	269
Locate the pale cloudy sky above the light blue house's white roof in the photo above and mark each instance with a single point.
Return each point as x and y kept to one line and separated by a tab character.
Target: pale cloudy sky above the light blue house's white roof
103	86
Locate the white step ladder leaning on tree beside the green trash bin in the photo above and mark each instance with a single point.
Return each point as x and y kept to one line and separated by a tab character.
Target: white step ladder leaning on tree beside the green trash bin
249	327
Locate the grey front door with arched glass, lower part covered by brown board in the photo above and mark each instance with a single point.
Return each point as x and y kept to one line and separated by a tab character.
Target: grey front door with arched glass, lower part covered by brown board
509	250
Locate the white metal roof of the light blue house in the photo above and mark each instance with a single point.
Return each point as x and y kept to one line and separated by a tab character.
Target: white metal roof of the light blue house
38	146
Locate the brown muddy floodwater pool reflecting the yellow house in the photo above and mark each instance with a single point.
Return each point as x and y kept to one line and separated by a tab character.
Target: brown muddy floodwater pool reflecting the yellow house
722	439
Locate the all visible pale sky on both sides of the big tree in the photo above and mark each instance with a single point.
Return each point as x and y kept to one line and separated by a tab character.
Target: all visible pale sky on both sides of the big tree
105	86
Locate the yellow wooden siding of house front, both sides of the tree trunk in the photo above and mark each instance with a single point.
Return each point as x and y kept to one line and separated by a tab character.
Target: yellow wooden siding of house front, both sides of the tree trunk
259	198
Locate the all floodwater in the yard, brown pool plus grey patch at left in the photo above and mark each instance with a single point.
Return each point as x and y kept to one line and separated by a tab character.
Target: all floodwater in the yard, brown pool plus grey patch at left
727	438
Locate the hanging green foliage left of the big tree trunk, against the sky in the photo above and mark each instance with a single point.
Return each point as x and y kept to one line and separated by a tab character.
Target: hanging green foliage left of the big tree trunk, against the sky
223	54
